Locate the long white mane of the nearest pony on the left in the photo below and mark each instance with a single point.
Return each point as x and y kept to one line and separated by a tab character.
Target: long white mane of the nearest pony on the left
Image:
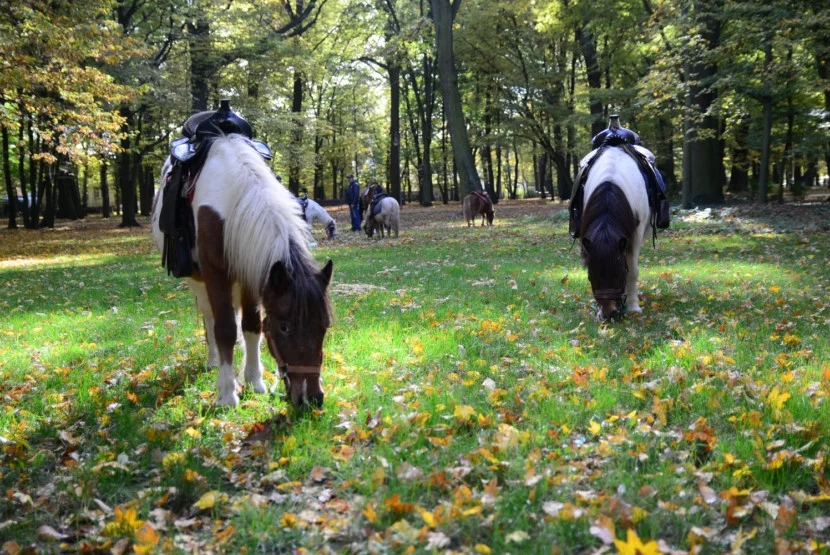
263	222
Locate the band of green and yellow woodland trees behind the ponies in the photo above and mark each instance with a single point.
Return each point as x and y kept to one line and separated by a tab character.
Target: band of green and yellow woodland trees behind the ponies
431	97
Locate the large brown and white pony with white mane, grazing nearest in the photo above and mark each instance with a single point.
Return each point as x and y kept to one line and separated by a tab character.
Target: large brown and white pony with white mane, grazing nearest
252	255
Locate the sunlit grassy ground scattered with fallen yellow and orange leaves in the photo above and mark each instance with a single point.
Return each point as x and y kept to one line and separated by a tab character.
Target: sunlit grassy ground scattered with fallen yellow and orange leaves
473	403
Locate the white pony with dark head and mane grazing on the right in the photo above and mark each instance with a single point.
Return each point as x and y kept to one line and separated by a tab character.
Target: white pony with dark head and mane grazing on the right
614	224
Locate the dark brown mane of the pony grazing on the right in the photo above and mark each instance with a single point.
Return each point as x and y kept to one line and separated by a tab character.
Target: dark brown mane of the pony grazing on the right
606	219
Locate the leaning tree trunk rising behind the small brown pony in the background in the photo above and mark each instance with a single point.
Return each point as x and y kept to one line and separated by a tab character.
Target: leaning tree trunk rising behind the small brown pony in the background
464	164
